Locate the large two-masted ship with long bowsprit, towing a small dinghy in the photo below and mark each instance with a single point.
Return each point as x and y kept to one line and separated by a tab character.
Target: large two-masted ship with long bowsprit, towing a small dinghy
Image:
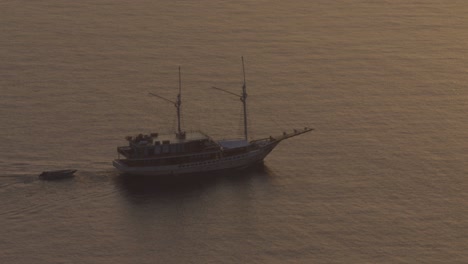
182	152
